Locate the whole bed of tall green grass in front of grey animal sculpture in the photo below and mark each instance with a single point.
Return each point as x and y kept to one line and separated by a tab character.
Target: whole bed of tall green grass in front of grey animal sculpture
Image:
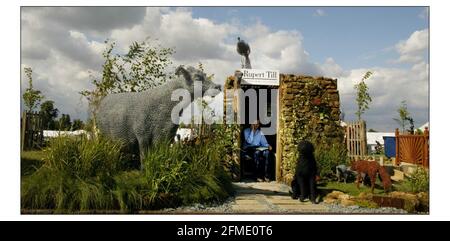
81	174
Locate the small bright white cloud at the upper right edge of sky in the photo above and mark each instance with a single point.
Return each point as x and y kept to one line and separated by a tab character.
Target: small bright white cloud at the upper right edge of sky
414	49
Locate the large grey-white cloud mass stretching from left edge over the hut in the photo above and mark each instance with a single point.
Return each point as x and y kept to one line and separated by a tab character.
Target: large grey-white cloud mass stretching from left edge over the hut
64	45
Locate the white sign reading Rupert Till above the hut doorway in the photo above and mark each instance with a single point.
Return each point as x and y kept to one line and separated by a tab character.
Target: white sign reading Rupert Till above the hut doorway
260	77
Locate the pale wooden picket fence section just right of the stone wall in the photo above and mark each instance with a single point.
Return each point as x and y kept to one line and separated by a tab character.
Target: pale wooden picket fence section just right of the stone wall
356	139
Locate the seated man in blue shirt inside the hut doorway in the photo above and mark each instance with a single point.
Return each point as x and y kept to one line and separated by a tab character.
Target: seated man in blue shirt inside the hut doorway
256	143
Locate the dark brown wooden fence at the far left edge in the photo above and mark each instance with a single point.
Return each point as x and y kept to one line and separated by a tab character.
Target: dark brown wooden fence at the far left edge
31	131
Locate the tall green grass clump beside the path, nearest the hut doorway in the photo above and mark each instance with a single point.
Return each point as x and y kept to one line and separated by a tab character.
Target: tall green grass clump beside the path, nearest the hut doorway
173	176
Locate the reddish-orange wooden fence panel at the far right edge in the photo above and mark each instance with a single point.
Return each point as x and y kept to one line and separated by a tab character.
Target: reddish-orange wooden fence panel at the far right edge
412	148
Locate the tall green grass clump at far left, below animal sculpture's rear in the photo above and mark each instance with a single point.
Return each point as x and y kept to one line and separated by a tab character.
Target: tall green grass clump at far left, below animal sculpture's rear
77	174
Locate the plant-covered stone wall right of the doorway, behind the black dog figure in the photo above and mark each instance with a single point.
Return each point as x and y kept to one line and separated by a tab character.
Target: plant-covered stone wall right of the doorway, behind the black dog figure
309	110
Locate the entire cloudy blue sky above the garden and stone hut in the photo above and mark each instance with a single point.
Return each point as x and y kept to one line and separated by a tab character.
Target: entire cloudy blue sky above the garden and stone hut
63	46
